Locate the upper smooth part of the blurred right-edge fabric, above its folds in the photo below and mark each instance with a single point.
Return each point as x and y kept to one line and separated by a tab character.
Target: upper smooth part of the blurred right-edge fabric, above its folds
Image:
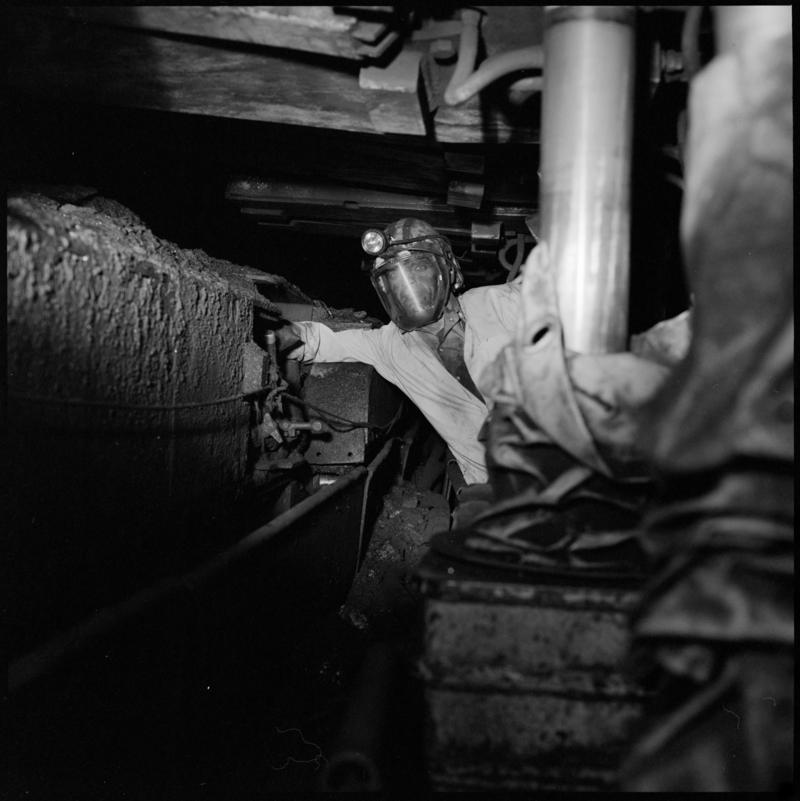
733	395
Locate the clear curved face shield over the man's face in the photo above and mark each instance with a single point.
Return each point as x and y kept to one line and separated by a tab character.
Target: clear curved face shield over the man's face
413	286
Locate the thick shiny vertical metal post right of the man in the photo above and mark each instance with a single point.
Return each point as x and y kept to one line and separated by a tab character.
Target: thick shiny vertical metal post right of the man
587	126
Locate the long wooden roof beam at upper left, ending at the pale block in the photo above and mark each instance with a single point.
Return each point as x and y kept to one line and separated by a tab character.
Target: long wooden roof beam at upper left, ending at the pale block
65	59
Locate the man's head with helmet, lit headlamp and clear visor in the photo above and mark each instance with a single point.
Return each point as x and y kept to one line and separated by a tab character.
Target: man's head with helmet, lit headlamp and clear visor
413	270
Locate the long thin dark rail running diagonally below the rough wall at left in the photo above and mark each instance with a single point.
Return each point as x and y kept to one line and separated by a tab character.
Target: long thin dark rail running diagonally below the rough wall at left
45	659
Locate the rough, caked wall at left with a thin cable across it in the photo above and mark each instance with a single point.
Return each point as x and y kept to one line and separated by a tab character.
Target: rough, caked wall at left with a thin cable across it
101	311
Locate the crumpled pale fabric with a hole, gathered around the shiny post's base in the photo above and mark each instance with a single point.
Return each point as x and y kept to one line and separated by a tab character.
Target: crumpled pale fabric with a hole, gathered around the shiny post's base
563	449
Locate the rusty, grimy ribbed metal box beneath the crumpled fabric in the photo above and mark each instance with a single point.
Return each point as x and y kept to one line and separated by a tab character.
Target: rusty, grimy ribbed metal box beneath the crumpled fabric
524	688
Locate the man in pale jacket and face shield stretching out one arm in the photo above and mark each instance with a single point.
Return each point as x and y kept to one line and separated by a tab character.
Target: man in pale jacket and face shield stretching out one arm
439	340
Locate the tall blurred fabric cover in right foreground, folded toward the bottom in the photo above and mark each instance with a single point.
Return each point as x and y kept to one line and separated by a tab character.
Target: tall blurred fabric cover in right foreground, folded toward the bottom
718	613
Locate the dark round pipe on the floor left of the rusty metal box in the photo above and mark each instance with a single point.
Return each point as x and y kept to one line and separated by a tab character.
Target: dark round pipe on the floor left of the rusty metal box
355	759
